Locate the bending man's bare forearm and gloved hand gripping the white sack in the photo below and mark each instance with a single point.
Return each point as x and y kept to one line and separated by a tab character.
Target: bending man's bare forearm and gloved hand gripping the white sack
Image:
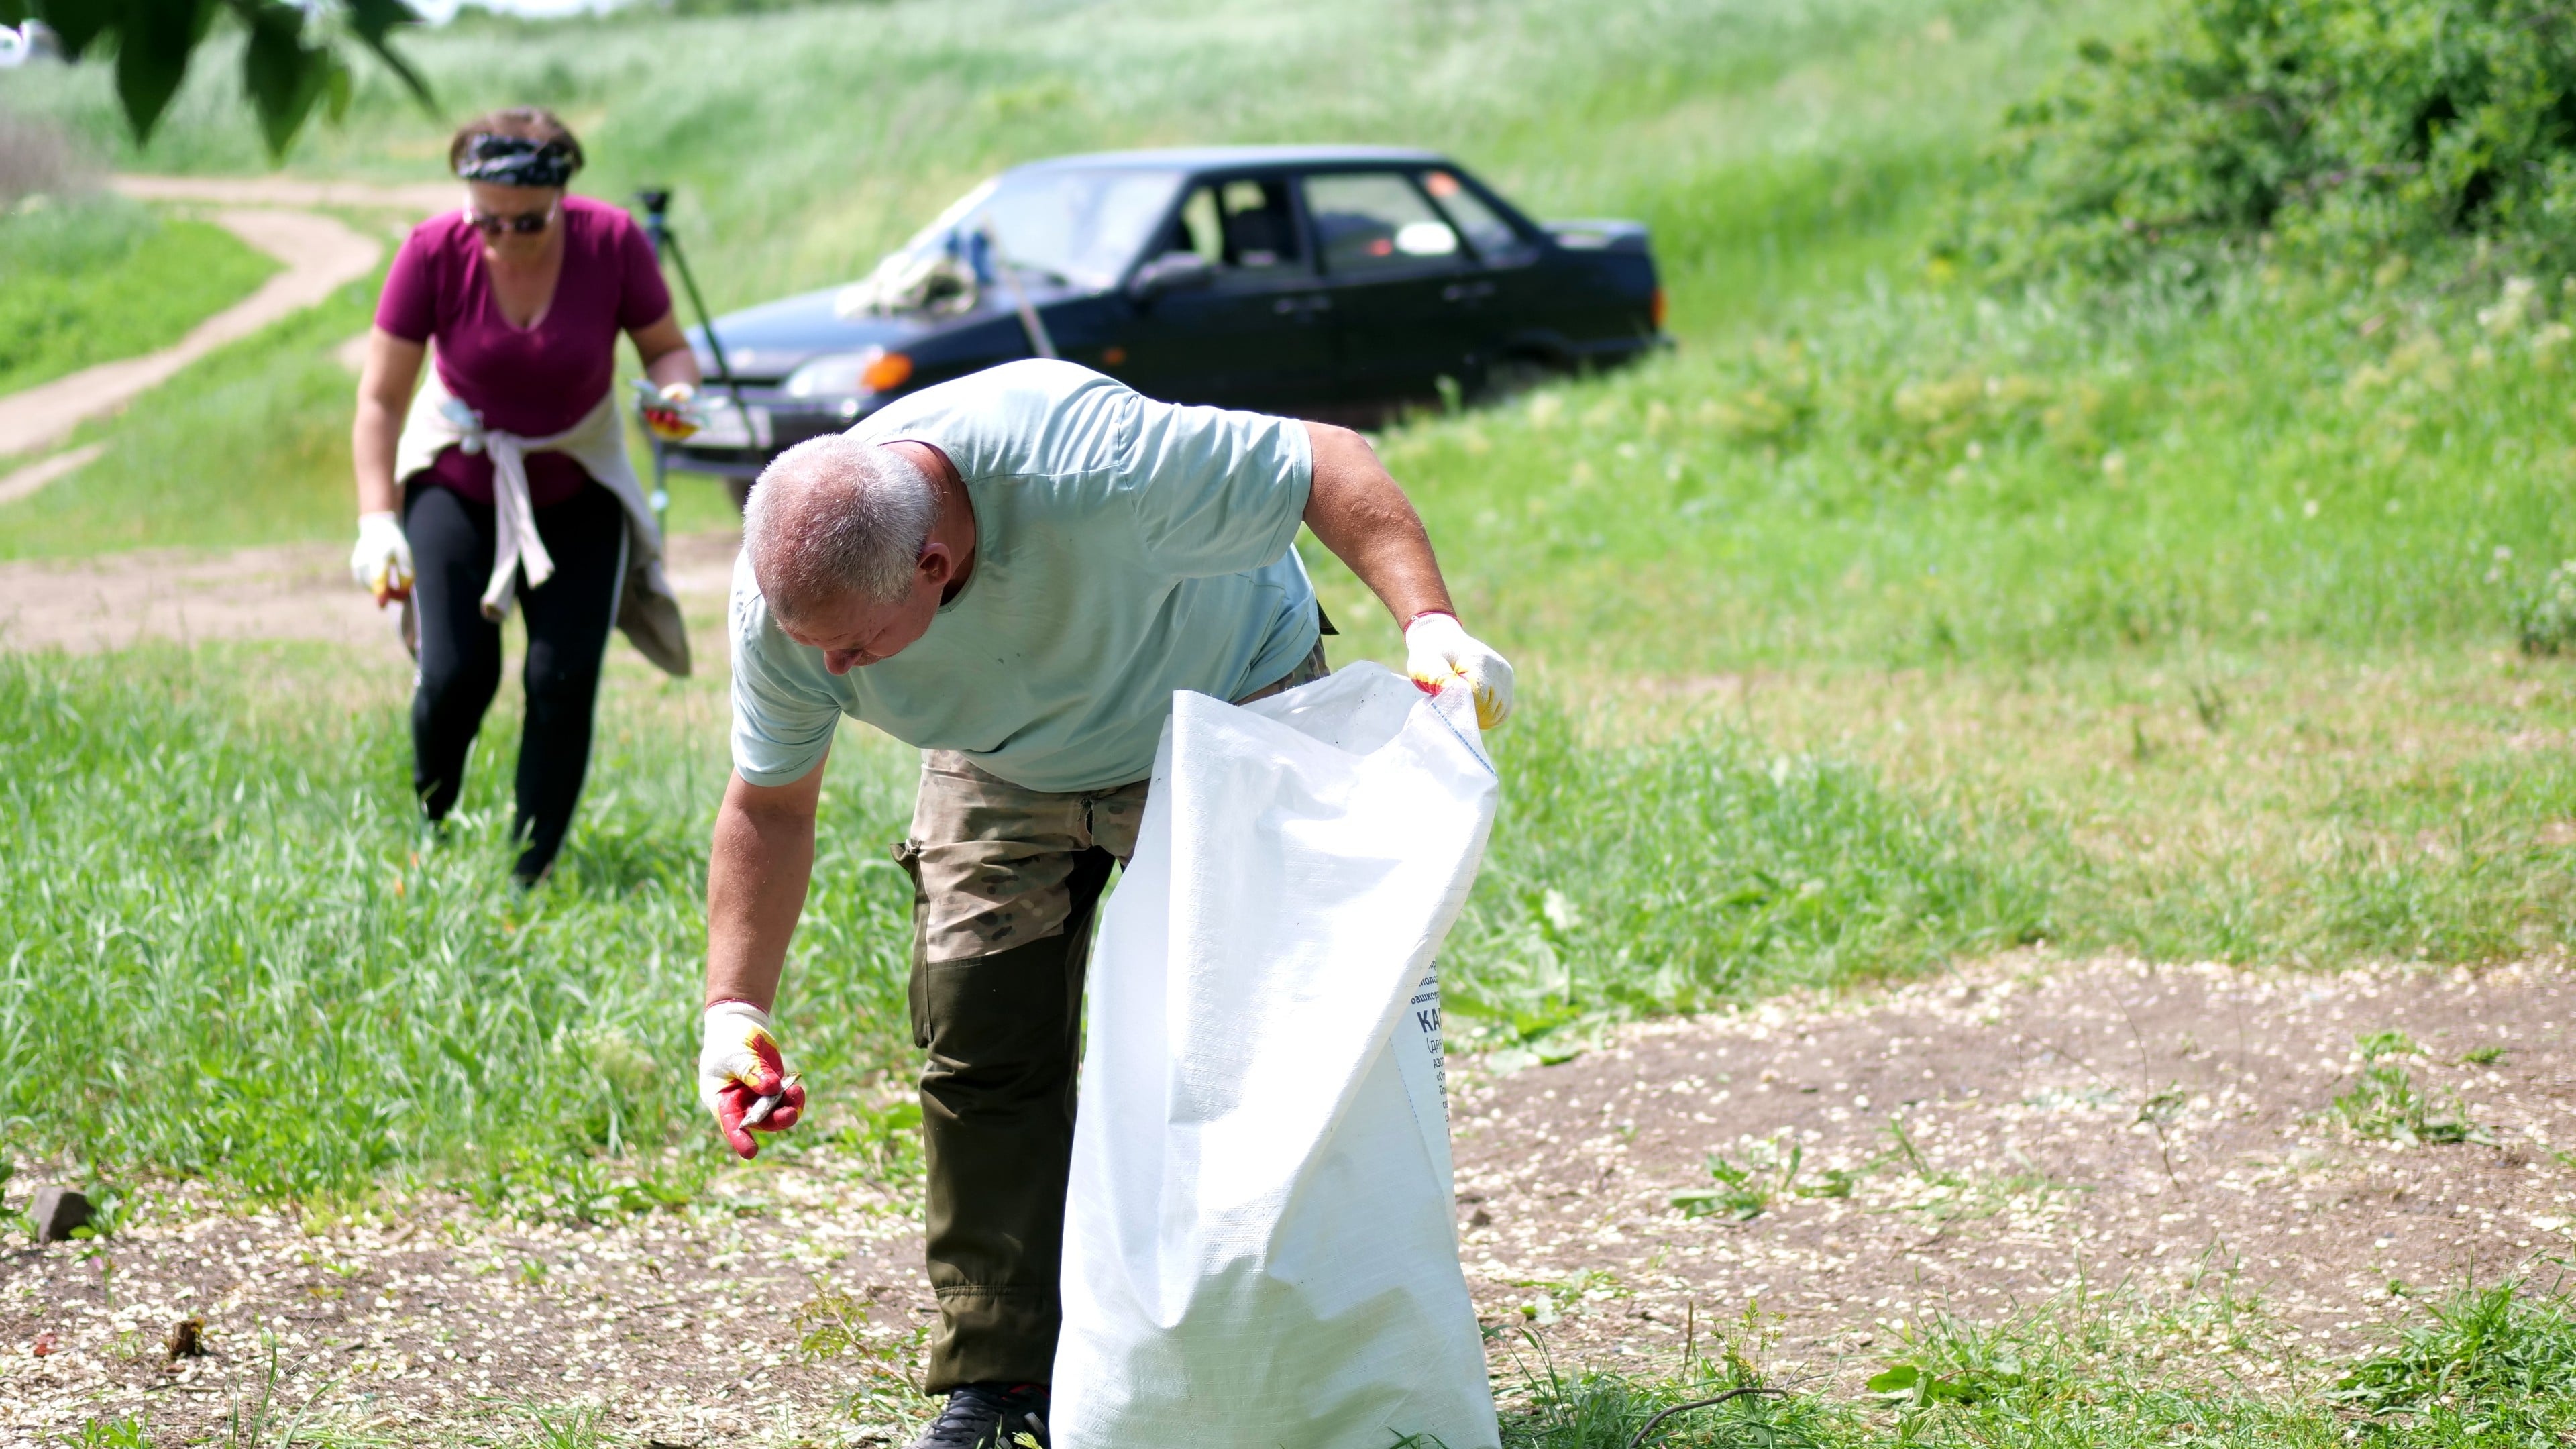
1361	514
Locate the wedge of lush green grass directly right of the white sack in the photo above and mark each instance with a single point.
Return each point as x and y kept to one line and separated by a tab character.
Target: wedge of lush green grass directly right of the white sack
1704	868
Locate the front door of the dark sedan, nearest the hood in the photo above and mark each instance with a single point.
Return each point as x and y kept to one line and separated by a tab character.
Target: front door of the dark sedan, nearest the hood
1248	326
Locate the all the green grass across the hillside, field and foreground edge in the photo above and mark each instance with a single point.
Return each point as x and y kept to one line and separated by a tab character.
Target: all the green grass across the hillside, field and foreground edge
1879	625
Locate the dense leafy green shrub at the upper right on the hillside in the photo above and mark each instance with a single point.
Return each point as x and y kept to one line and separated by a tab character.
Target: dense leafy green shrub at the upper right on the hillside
2338	128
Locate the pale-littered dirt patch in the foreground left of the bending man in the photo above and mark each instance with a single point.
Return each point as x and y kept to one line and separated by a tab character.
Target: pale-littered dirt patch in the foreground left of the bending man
447	1327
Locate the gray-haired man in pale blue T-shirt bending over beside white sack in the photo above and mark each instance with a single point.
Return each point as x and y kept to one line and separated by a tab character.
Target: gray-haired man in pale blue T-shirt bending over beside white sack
1016	571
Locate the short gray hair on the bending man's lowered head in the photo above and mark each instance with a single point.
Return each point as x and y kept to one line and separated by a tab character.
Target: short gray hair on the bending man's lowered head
838	517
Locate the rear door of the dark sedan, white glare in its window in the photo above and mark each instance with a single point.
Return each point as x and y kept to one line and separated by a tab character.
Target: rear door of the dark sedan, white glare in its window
1403	285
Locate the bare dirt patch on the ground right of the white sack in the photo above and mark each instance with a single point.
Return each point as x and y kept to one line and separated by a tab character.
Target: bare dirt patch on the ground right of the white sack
2098	1125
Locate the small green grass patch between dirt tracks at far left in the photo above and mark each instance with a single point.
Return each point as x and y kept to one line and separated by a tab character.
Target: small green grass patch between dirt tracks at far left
99	280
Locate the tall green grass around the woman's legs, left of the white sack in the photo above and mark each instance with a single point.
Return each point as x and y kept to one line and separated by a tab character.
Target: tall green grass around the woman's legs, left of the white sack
233	950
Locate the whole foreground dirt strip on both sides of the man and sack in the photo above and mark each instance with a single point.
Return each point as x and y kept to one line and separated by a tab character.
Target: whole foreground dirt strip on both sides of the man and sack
2083	1123
